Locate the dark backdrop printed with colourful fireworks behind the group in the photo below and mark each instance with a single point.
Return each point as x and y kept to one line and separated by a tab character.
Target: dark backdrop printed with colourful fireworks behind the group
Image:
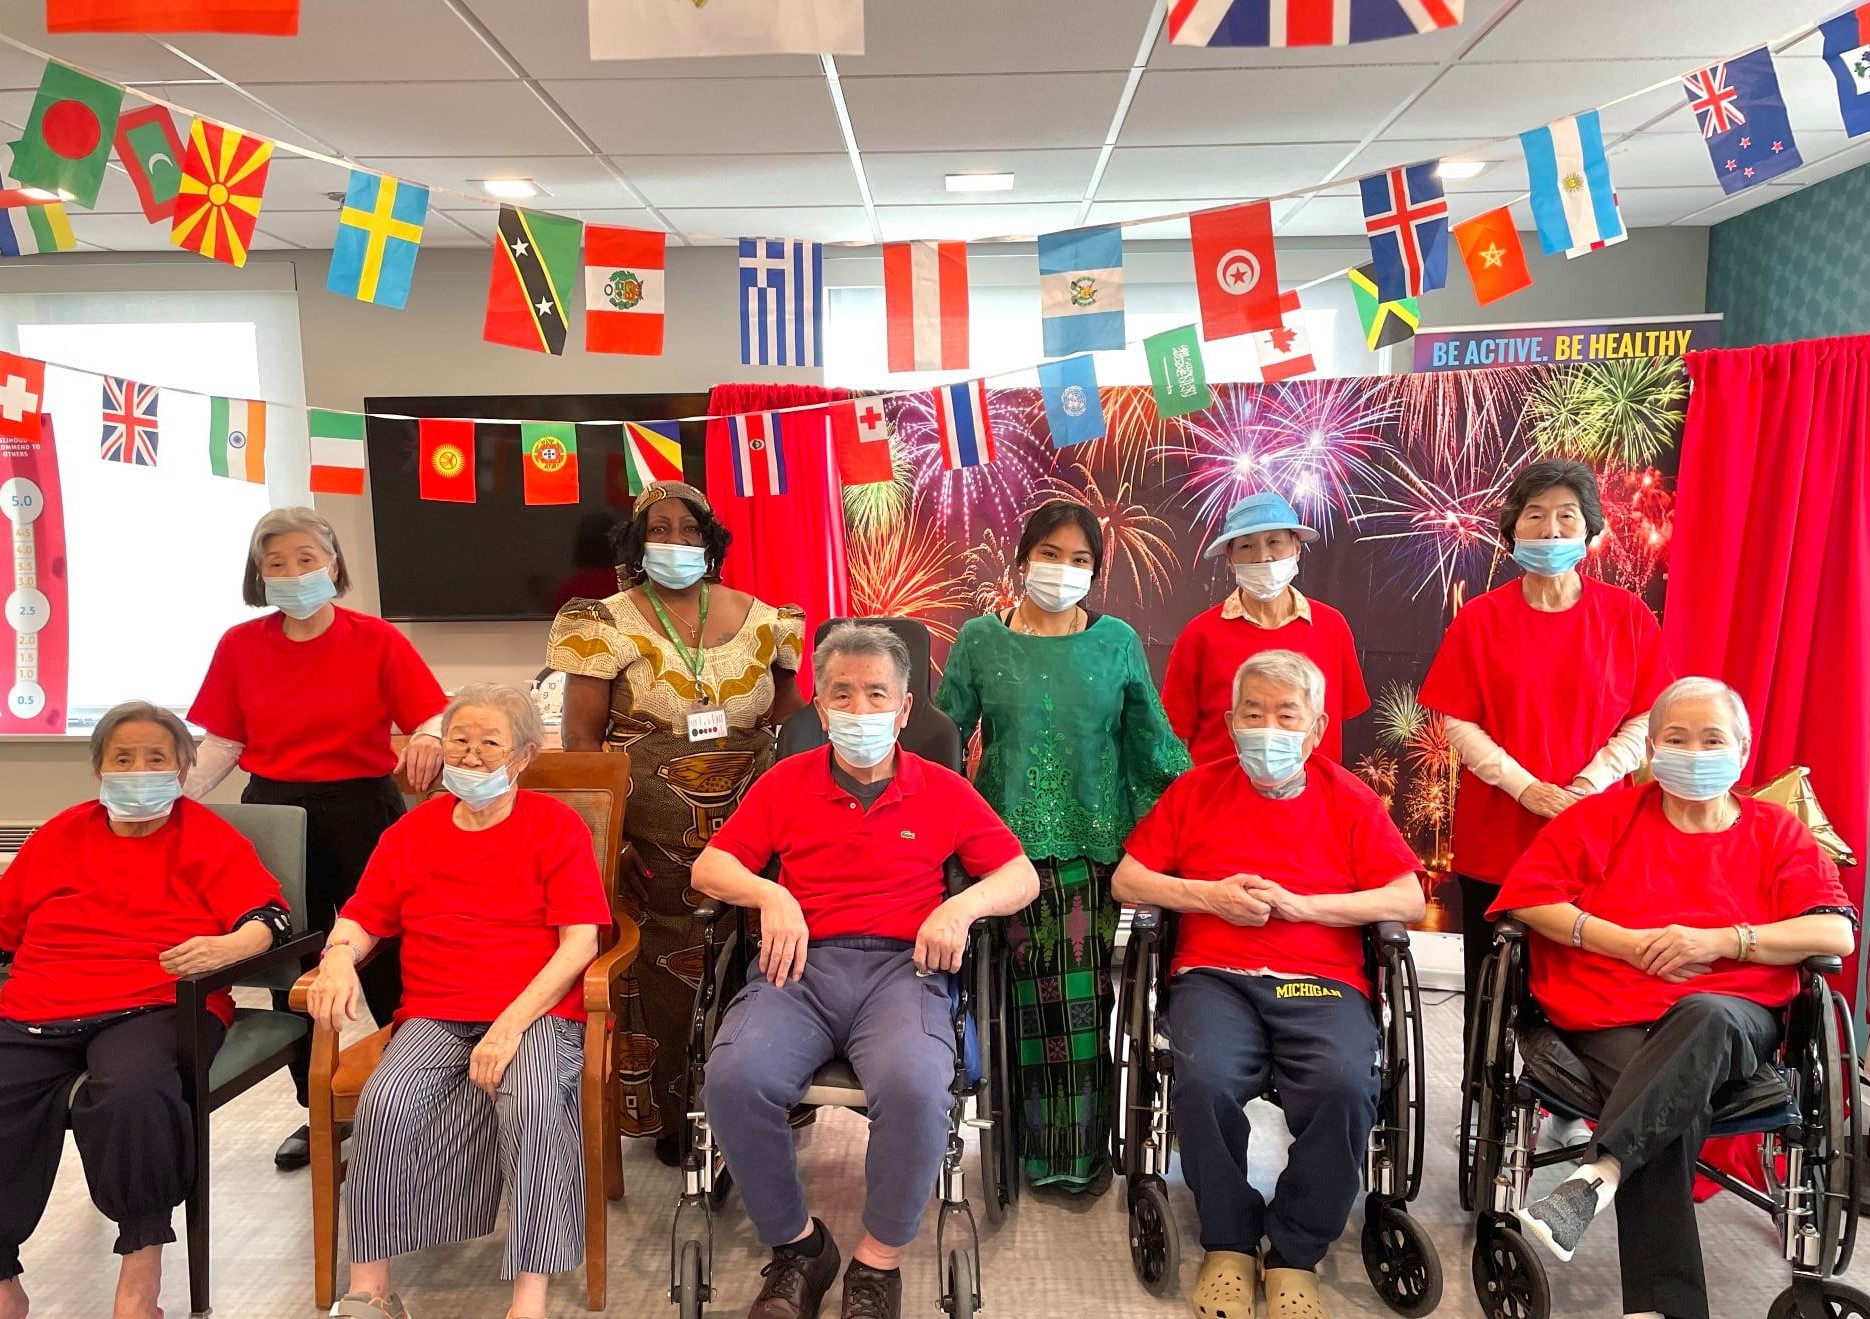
1402	474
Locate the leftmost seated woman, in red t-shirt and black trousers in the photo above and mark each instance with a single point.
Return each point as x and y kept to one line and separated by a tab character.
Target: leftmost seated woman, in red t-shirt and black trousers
106	906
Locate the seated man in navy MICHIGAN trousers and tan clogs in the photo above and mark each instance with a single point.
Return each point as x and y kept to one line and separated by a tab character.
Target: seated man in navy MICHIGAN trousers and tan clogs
1276	863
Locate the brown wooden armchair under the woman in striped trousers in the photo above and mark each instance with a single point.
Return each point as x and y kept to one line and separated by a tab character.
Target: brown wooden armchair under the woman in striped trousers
596	785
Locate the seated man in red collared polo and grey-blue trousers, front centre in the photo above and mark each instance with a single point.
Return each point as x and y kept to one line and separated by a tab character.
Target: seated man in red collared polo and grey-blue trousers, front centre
856	959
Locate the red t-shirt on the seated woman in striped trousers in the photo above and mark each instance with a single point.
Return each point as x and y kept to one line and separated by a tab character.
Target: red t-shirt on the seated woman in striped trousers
480	912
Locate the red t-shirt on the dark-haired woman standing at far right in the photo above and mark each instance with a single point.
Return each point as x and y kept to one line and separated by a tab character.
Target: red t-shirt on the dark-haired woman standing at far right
1551	689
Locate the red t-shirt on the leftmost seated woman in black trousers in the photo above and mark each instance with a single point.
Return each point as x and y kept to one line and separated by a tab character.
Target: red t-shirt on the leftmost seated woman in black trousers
89	912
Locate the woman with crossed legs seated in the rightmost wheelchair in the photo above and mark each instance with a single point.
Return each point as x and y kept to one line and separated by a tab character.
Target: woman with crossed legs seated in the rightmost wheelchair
1673	920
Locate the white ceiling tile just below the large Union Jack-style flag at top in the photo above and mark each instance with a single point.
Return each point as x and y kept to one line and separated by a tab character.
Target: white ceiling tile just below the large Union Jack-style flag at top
1265	106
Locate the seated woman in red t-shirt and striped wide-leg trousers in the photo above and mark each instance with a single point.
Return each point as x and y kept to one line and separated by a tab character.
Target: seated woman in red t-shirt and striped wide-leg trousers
498	903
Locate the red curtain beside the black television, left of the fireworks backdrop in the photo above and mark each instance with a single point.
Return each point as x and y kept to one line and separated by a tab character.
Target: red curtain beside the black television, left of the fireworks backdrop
786	549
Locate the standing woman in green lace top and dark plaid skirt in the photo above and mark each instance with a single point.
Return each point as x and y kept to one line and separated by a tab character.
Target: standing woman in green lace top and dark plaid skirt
1074	751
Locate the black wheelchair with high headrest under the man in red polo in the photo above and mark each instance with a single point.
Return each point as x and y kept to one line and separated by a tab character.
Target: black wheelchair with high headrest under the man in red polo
983	1028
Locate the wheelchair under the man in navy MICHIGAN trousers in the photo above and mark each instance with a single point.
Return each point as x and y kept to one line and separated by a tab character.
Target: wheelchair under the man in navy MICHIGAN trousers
1398	1253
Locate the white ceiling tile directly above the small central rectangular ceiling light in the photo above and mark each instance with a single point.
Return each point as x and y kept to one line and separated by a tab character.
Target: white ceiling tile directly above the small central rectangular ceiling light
983	113
